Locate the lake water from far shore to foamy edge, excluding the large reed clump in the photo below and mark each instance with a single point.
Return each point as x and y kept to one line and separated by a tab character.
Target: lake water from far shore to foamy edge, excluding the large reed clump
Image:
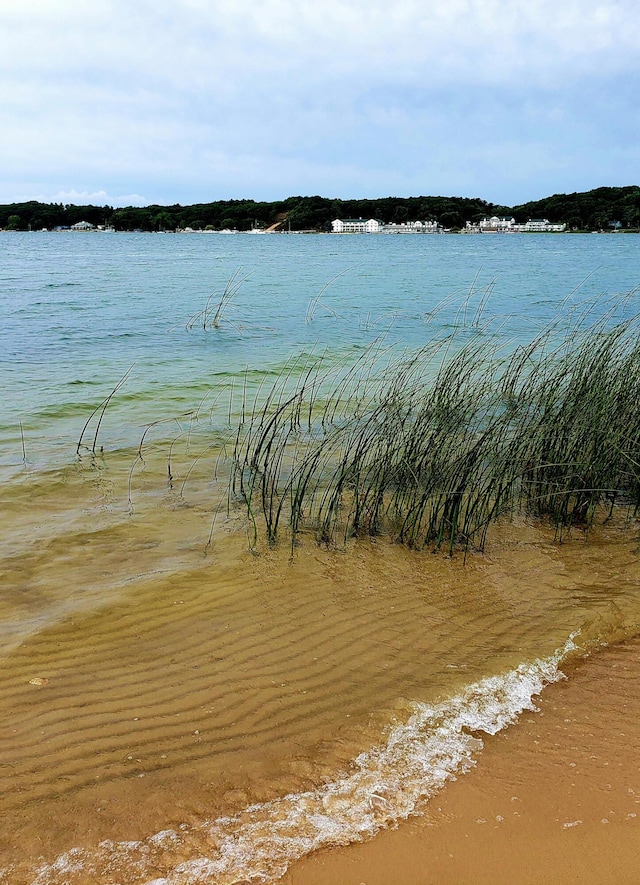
176	712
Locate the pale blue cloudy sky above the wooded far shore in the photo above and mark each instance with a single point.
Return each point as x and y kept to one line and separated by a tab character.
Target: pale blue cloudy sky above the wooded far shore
133	102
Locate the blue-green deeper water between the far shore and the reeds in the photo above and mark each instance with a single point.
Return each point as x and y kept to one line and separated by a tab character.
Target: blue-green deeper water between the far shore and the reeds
79	310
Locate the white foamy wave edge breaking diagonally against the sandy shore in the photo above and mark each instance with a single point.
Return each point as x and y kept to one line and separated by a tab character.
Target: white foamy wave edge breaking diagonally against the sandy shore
384	785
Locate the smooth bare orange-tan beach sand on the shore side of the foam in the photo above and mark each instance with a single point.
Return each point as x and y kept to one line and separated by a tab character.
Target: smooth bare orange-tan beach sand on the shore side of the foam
554	799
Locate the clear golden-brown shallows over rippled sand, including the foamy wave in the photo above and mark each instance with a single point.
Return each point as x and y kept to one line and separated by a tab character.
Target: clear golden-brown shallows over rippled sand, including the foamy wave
186	717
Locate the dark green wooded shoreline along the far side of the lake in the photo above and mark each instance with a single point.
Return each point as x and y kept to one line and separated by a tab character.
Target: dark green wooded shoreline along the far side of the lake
600	209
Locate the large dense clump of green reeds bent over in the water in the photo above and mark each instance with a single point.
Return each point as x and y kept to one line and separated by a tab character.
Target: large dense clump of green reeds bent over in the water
434	446
